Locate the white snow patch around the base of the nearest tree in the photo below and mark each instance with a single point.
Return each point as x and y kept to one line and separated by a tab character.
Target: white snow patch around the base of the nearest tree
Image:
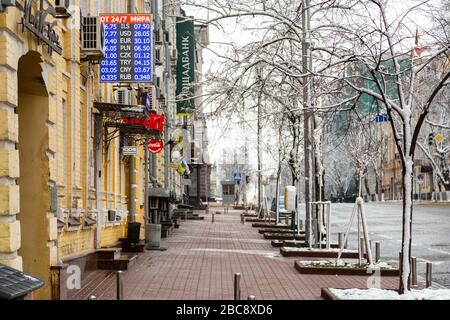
382	294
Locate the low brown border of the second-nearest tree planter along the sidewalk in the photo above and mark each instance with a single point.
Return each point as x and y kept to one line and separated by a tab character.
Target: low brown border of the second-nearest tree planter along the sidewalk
304	269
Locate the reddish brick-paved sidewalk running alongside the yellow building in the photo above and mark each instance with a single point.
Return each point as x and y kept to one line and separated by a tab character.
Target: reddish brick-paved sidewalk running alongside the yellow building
203	257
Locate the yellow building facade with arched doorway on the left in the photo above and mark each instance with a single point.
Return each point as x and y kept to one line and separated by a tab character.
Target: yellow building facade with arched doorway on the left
62	174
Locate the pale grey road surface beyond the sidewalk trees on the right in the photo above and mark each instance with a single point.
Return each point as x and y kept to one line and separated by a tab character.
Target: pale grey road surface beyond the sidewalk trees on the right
431	233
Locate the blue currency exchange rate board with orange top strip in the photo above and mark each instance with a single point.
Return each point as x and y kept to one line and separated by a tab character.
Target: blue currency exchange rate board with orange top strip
128	48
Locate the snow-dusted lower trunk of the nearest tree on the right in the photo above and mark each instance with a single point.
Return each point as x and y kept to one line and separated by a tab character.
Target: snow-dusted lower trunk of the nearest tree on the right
405	262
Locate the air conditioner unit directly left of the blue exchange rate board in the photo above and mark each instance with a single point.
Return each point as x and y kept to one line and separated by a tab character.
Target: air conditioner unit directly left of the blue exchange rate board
92	39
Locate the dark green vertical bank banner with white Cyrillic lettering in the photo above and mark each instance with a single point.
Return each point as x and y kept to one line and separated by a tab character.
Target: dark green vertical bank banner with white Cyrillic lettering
185	66
